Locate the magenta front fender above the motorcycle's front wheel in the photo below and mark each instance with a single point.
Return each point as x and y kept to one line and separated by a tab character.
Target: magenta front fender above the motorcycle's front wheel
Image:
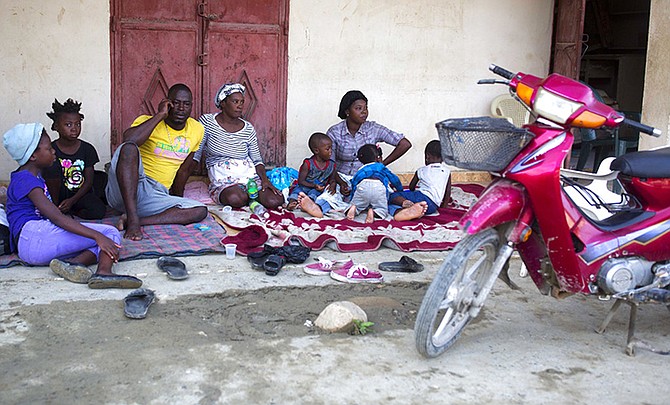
503	202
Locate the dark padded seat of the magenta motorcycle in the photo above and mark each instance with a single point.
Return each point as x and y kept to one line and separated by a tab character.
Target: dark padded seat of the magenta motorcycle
647	164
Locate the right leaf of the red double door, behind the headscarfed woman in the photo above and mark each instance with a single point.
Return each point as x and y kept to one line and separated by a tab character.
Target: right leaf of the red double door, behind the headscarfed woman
245	43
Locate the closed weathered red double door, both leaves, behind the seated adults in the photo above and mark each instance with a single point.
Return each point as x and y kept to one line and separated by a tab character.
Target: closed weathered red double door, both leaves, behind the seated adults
203	44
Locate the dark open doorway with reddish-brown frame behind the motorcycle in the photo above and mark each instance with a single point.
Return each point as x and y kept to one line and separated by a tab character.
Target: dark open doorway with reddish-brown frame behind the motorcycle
604	44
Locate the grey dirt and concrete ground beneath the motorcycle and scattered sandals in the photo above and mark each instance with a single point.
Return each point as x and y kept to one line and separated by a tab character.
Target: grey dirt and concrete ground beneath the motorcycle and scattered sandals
232	335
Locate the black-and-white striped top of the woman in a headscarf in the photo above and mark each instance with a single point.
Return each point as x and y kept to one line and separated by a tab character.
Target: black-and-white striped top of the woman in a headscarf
219	145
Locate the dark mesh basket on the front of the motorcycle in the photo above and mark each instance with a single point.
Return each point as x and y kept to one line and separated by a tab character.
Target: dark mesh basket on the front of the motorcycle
481	143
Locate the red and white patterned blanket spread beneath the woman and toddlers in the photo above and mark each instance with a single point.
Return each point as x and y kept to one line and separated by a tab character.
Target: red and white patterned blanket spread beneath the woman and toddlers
431	232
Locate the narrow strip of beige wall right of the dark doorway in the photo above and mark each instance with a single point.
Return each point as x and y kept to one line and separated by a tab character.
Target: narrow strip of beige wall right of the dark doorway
656	100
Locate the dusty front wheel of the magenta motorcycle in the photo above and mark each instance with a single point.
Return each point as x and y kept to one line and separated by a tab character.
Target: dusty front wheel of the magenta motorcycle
445	309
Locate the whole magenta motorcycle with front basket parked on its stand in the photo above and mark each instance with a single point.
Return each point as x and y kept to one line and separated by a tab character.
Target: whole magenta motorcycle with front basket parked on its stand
623	256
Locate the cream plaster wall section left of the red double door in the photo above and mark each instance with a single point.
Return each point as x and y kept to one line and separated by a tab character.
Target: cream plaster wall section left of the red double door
55	49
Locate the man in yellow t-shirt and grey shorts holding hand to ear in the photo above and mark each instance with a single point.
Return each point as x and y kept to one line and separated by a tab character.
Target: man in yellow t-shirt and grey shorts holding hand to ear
150	168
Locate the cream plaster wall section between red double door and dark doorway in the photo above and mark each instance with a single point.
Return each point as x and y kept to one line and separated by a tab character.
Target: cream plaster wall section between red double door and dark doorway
417	62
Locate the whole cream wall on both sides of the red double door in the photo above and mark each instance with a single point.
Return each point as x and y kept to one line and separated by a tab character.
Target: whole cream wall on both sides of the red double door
417	62
